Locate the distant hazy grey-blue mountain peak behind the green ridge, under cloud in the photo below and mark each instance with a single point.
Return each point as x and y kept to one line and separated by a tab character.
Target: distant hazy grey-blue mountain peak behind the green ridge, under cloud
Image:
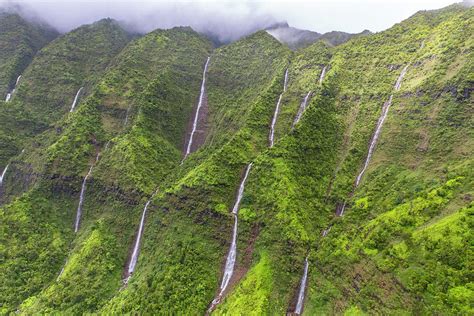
297	38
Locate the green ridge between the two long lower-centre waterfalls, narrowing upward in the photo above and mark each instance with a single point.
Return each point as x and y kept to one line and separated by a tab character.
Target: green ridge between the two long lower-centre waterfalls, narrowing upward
187	233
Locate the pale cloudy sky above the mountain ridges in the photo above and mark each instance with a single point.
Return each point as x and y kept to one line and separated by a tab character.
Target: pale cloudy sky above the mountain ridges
228	19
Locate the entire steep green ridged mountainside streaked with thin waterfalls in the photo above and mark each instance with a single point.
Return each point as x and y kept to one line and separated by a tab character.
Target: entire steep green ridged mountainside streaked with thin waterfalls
243	179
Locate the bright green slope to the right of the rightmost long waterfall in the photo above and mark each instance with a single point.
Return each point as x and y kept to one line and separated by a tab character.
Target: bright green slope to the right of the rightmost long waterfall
420	171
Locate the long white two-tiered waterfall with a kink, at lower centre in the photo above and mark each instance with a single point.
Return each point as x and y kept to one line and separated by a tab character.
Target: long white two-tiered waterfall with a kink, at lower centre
232	255
